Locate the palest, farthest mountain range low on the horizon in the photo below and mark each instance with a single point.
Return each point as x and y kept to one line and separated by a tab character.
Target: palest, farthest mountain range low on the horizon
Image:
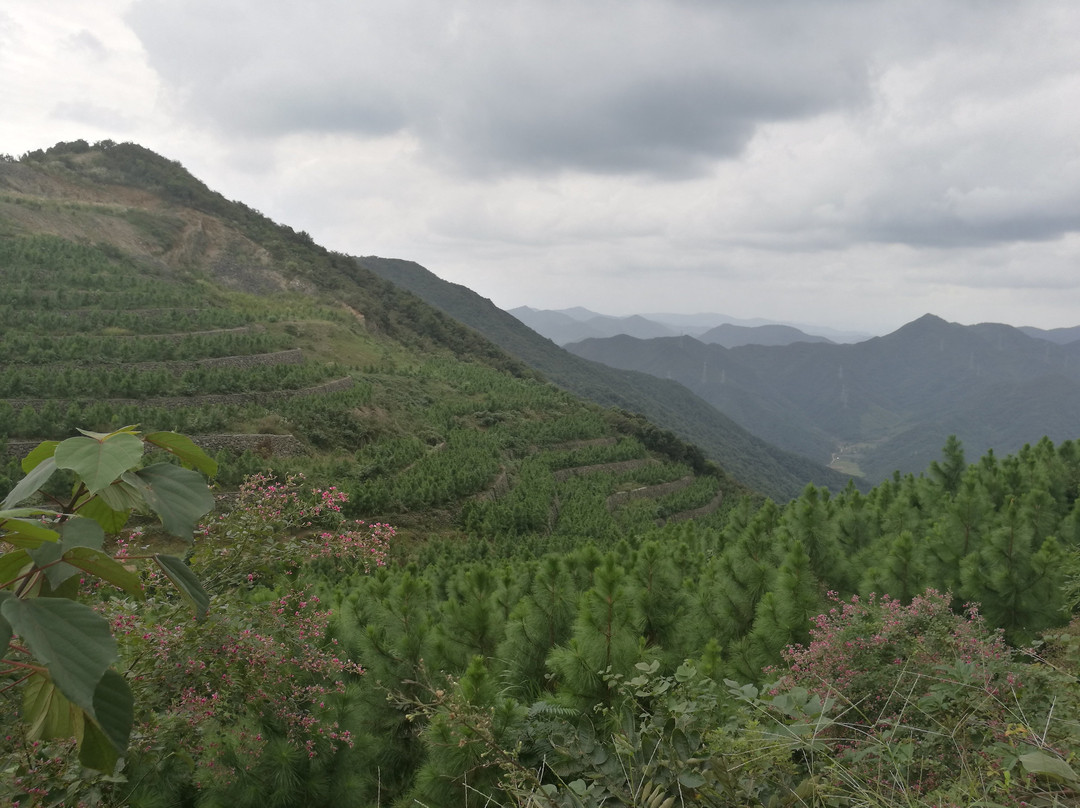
572	326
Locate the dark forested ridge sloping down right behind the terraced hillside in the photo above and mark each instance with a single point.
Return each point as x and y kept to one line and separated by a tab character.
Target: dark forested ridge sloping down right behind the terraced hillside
779	474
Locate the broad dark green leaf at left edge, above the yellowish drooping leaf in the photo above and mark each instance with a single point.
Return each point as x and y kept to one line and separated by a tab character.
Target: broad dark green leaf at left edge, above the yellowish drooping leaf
72	640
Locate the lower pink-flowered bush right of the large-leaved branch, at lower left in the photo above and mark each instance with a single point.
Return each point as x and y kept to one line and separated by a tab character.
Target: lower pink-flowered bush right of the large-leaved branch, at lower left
256	677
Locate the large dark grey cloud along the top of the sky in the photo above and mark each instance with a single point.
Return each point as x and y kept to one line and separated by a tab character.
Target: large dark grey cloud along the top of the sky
656	88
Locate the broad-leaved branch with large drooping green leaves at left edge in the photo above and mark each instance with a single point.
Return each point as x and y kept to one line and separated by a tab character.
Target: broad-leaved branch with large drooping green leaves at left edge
59	649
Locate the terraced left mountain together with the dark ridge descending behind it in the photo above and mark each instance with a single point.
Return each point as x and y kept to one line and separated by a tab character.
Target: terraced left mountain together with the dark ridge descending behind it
136	294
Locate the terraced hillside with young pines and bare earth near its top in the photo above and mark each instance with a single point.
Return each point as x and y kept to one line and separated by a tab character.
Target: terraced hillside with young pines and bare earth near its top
133	294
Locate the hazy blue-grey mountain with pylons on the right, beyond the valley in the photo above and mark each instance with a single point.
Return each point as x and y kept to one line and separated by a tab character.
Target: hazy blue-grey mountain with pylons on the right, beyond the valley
883	405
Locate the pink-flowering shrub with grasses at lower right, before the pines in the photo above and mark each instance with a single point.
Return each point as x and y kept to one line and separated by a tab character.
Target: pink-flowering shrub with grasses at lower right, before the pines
914	703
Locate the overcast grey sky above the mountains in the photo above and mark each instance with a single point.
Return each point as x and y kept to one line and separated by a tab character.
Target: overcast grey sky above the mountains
843	164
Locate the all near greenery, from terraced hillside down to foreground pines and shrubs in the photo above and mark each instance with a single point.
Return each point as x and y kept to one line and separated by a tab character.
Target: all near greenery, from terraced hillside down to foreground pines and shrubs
468	586
